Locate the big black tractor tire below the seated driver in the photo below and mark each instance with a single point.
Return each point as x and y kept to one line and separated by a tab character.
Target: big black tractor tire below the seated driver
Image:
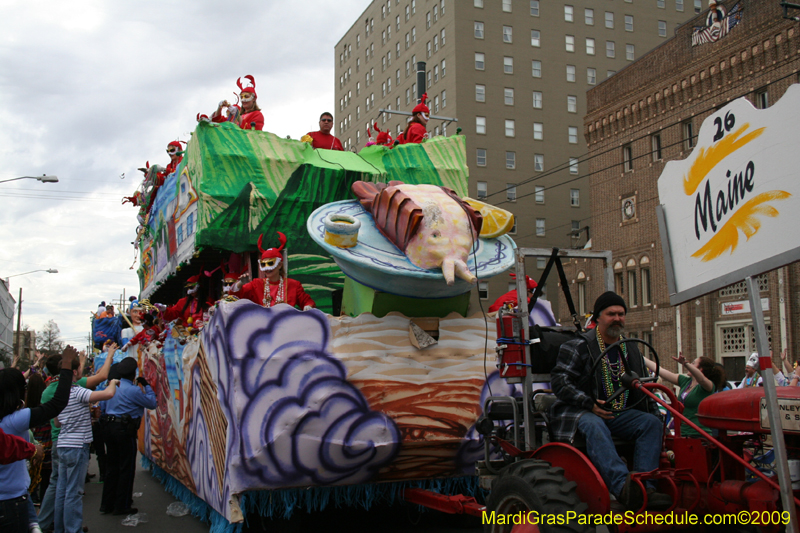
535	487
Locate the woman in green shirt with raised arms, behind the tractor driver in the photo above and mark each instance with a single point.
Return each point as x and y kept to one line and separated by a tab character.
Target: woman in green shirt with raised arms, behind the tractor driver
703	380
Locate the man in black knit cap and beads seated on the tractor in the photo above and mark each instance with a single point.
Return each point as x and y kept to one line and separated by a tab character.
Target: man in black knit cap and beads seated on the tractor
581	406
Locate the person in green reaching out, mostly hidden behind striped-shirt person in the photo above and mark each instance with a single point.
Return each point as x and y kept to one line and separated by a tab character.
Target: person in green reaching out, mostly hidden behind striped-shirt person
53	366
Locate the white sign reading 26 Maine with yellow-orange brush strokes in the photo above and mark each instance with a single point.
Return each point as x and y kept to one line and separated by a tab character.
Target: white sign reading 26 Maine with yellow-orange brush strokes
732	208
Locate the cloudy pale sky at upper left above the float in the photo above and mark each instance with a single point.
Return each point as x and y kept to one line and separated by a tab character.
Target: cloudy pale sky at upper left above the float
91	89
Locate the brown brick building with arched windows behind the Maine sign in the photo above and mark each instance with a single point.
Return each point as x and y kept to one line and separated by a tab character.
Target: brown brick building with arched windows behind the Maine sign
650	113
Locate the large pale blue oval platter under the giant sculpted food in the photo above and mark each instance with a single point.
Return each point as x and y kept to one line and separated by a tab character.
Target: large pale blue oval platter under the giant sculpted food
377	263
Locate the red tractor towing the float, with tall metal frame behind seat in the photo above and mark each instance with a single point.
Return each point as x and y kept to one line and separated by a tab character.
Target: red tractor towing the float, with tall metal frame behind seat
538	485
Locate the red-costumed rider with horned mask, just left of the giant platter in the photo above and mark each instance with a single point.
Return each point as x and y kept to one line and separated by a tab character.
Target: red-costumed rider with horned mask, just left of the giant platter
276	287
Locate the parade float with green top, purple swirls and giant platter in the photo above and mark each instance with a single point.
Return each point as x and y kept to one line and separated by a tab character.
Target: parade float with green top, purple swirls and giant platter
273	410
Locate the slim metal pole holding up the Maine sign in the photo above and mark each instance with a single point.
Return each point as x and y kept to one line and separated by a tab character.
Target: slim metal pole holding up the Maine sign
771	398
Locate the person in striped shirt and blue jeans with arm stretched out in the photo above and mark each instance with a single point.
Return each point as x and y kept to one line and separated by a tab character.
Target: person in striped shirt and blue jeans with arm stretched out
73	452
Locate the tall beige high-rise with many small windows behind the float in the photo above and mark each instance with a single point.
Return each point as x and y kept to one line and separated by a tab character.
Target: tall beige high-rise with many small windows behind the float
514	73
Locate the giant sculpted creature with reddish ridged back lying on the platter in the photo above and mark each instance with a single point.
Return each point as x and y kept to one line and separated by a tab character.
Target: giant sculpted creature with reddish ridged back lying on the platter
430	224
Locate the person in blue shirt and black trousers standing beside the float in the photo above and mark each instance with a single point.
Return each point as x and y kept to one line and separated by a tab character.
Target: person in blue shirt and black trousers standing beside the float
123	414
